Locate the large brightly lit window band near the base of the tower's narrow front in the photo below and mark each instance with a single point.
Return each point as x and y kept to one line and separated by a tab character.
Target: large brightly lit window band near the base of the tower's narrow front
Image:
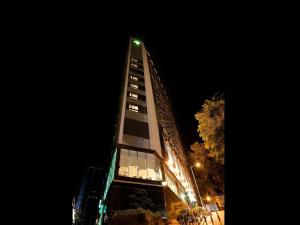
139	165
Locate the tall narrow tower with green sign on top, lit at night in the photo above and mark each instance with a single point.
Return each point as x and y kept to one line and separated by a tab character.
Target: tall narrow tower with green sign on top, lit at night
148	154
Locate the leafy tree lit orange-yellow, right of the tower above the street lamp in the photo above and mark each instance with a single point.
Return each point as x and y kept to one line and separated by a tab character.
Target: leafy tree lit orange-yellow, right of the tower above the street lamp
211	127
